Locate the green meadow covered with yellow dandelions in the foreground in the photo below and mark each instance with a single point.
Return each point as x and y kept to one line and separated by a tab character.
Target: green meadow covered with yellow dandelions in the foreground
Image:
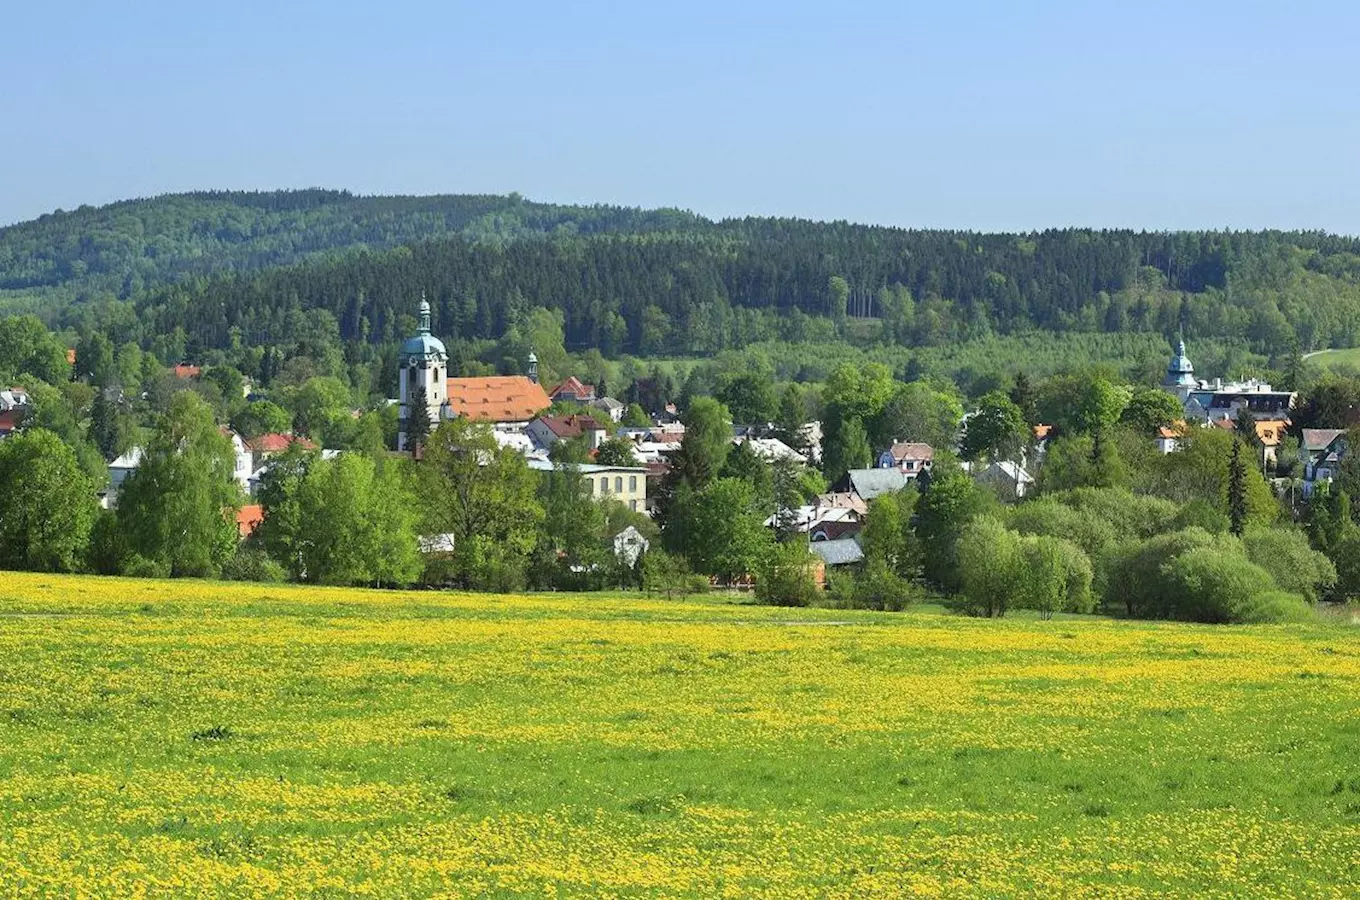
180	739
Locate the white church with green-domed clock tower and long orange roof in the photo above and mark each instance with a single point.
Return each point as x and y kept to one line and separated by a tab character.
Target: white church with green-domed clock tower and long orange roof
508	403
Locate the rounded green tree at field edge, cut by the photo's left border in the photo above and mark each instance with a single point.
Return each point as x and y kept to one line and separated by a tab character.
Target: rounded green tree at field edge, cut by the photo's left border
48	505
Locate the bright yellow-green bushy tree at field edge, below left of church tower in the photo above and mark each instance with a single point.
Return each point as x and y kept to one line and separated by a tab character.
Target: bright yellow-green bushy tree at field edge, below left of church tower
357	524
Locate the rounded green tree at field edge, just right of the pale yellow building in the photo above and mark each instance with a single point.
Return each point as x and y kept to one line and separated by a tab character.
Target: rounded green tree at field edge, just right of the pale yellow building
724	531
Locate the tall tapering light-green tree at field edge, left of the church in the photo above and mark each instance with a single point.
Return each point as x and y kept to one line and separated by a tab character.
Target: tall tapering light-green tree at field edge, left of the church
177	510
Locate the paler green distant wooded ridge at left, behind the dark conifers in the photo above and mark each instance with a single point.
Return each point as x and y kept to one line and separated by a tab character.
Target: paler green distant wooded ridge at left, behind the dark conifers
129	247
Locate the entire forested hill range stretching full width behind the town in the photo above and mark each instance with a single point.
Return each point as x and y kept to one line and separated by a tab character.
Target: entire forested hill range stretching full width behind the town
224	269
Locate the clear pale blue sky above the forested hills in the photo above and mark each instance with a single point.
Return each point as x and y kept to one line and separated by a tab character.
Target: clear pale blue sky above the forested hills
988	116
